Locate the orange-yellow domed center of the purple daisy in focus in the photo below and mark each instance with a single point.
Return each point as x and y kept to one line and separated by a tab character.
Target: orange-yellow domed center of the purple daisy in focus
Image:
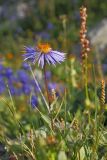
44	47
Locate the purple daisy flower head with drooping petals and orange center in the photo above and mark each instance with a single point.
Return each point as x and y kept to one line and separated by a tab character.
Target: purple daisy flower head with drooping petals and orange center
42	54
